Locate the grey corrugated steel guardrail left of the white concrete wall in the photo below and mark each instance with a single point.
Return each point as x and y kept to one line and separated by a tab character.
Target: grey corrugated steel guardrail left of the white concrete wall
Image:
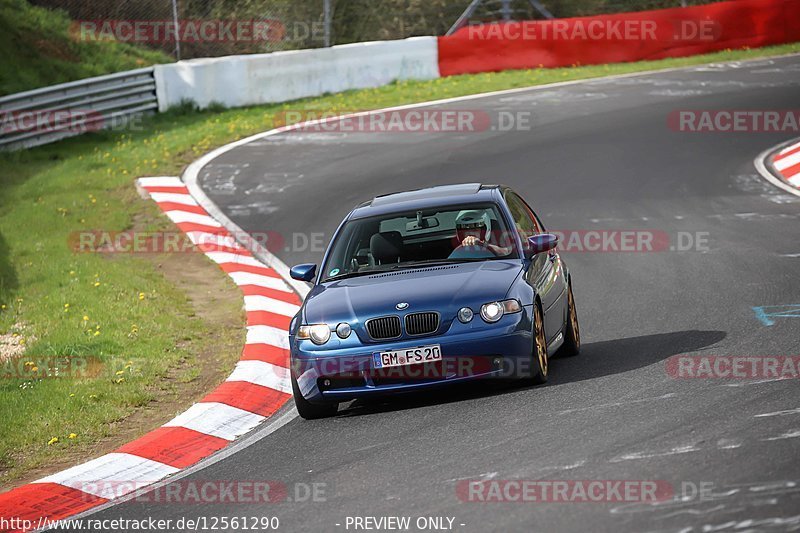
46	115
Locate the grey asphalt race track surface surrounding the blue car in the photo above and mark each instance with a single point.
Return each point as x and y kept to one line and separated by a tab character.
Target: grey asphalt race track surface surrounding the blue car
599	155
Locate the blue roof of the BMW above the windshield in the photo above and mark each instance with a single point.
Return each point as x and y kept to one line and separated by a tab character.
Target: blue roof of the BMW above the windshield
441	195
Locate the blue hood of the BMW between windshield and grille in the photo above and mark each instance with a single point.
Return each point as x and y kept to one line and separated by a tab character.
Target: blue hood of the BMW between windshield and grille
443	288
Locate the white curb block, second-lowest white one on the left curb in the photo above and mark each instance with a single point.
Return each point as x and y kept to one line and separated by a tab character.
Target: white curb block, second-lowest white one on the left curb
216	419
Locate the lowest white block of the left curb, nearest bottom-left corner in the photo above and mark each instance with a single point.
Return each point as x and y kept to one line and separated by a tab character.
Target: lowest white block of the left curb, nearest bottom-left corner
112	475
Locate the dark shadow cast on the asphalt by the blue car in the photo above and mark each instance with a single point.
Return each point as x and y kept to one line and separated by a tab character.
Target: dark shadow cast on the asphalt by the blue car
597	359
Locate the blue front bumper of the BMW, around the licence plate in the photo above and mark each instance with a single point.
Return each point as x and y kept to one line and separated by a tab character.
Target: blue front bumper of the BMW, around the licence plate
502	350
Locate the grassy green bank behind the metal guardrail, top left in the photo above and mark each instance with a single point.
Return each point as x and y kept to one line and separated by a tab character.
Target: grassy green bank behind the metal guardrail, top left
38	48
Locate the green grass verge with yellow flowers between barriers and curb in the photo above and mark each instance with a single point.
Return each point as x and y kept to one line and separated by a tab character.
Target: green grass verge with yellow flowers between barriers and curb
87	183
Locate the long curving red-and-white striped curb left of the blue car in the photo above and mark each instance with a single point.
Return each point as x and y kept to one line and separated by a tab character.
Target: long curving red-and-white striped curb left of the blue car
257	388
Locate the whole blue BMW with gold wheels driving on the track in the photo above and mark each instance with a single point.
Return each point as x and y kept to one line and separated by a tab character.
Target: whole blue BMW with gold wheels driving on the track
429	287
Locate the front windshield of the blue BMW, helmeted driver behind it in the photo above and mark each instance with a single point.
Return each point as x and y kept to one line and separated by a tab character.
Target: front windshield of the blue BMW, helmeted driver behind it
419	238
